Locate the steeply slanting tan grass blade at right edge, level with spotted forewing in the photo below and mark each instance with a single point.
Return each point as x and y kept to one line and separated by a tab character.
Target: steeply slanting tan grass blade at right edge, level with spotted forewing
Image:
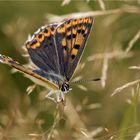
133	41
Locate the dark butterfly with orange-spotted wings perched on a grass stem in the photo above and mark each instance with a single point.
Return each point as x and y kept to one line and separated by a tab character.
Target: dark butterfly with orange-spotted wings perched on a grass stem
56	50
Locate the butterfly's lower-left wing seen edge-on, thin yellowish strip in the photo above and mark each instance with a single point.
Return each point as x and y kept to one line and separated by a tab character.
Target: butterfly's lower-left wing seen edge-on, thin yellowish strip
34	75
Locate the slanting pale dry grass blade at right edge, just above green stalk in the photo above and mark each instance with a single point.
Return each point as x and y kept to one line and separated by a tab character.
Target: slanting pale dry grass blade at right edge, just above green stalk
119	89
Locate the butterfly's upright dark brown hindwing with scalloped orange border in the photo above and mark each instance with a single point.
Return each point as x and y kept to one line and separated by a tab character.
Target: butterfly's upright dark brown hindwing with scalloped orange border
42	49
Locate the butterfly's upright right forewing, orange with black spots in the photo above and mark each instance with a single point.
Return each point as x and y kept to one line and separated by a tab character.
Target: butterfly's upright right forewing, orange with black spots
71	37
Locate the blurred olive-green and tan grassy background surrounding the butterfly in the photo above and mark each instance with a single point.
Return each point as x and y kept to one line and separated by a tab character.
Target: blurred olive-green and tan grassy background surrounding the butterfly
90	113
